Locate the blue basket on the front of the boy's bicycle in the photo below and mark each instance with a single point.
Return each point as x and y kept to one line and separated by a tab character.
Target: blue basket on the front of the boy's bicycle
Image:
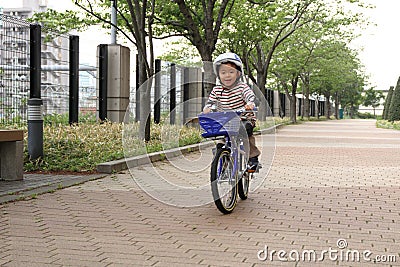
219	123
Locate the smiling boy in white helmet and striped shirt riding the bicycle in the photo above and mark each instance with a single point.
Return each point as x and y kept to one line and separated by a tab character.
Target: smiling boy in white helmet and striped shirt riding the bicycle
234	94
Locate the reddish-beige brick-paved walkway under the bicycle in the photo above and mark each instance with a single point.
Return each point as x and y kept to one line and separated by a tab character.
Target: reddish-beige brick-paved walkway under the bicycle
332	194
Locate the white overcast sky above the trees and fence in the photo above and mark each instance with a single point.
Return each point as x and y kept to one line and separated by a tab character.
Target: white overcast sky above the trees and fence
379	51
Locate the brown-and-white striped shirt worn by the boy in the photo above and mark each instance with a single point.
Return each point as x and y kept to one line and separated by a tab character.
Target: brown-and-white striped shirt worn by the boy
231	99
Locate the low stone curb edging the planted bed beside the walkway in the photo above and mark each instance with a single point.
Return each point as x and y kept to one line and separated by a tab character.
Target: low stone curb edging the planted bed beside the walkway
122	164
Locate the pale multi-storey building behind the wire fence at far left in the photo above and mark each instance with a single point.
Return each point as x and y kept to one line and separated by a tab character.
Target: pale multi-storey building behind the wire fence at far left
14	58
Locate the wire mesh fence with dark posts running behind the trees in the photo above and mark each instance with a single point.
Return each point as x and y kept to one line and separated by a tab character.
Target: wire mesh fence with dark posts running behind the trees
58	80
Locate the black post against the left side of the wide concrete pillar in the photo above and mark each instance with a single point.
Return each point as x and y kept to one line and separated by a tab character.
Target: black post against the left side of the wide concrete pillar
103	81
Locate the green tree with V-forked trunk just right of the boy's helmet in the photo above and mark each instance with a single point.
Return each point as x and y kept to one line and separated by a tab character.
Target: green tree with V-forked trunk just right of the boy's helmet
255	31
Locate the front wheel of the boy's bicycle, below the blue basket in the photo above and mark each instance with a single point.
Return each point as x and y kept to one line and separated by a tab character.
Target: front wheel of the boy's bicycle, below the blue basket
223	181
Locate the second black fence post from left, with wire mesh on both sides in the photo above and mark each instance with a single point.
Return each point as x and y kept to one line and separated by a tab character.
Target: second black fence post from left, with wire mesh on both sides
73	79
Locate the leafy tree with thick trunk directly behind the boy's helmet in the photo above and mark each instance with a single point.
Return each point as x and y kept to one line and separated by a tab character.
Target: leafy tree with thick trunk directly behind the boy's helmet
197	21
